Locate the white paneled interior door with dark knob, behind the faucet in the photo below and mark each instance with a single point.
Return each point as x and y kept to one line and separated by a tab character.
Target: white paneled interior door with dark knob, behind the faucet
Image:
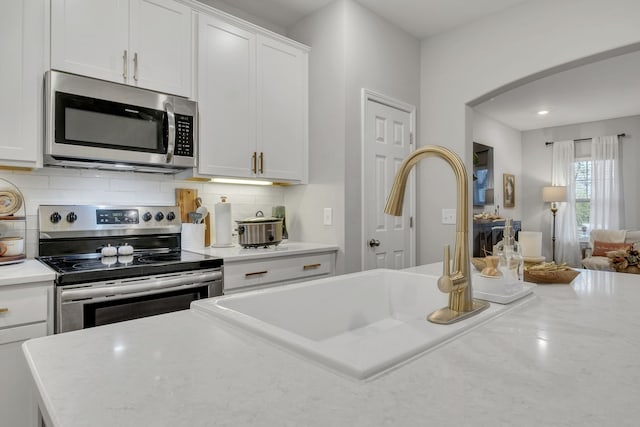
389	241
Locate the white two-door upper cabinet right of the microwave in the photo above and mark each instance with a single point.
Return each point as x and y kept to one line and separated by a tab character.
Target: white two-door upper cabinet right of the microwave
252	98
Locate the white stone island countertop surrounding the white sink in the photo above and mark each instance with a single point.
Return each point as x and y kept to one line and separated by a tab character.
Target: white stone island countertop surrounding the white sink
568	357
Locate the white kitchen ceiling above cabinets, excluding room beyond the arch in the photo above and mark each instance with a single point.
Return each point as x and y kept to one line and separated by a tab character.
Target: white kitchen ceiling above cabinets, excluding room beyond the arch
422	18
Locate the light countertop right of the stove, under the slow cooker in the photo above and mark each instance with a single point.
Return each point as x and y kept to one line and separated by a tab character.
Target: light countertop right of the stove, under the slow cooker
238	254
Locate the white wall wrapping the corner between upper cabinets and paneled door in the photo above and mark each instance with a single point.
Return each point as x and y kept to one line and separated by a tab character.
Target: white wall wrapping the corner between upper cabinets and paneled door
351	48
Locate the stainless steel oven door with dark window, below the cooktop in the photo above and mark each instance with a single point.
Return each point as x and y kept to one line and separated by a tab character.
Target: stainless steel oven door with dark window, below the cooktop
95	304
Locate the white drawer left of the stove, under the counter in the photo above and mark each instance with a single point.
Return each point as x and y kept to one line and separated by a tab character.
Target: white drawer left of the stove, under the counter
20	305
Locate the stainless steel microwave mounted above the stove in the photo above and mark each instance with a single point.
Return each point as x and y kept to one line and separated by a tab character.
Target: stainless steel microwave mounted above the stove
92	123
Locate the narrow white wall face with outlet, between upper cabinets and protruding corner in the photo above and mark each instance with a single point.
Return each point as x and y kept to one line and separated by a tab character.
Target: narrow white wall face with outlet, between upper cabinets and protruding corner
324	31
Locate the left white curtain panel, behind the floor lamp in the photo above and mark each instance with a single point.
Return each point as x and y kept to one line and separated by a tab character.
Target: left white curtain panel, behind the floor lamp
562	173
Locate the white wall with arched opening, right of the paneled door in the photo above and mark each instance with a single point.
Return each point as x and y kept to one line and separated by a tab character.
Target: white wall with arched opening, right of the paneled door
469	62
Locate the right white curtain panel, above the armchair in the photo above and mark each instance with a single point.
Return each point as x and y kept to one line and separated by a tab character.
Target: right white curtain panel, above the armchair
606	203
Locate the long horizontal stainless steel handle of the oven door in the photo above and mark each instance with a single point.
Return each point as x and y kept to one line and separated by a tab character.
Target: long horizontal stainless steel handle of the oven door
87	293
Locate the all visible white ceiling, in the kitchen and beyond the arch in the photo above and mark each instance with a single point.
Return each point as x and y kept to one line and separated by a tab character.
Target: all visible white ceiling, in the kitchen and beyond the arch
598	91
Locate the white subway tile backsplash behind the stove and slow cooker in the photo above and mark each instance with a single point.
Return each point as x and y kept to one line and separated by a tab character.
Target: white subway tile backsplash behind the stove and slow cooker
61	186
